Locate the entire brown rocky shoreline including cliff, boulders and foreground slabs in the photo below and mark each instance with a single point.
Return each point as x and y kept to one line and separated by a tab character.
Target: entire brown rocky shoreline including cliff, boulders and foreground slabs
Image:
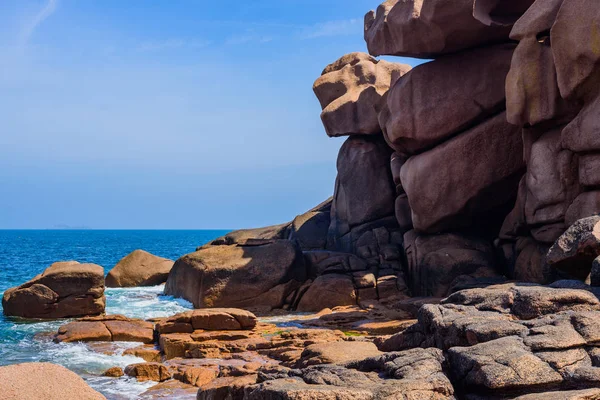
459	256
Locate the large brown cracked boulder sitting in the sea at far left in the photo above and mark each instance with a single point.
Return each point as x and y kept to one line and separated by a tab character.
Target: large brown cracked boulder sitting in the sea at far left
65	289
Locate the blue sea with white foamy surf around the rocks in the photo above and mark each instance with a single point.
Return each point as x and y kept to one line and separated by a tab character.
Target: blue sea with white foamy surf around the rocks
26	253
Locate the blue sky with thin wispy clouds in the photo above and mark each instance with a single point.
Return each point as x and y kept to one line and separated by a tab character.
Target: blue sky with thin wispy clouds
167	114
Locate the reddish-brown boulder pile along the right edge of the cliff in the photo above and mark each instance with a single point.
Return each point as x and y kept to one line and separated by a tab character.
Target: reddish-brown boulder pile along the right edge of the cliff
552	91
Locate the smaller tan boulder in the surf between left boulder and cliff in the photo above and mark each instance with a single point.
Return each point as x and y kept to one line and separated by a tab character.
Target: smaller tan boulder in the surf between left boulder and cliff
139	268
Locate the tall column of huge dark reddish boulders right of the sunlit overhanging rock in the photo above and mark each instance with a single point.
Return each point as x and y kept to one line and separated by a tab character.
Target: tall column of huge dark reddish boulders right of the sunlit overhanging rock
457	161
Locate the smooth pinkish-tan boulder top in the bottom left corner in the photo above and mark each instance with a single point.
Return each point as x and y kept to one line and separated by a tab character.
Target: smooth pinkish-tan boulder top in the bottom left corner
43	381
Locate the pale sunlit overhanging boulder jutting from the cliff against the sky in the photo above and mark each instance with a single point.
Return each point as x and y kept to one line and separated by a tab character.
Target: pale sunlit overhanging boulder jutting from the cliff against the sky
350	90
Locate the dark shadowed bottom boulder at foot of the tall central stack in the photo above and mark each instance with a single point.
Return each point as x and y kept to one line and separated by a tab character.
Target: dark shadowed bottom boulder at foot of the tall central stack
437	263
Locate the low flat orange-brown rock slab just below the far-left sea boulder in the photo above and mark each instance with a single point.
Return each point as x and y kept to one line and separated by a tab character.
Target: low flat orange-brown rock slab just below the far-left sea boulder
109	328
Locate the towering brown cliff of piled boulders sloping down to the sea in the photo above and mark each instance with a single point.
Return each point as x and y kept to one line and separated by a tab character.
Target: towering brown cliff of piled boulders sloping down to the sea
458	173
